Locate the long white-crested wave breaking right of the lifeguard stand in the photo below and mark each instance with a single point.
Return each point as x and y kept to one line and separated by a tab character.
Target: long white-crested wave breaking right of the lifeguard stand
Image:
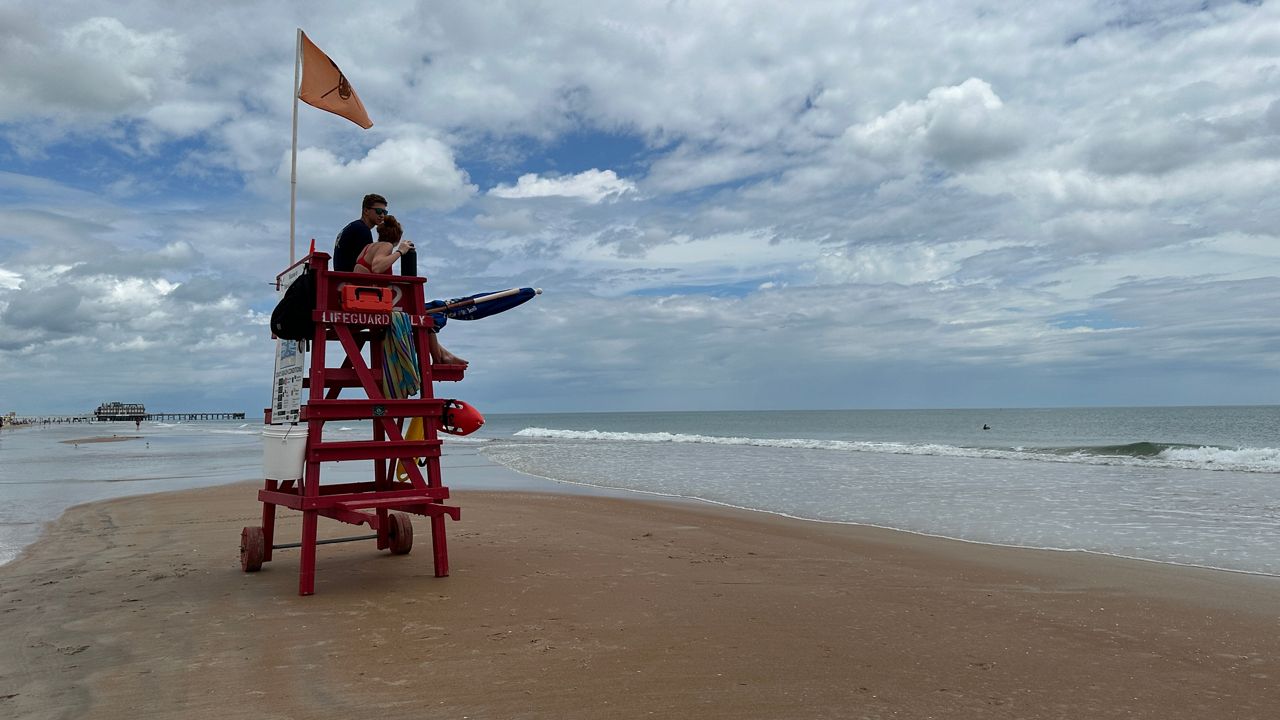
1145	454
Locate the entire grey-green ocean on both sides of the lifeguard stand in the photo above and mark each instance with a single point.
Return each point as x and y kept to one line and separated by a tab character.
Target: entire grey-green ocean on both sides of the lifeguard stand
1194	486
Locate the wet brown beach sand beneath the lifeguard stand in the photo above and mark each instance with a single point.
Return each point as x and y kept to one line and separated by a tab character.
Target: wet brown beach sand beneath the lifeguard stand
579	607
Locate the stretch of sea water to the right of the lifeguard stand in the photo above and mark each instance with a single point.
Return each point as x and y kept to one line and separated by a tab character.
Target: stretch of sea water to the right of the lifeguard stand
1197	486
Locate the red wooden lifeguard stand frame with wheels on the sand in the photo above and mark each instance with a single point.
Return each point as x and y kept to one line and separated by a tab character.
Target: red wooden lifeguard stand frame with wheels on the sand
382	504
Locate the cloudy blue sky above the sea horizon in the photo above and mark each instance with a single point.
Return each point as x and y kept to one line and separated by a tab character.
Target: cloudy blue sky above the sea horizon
730	206
